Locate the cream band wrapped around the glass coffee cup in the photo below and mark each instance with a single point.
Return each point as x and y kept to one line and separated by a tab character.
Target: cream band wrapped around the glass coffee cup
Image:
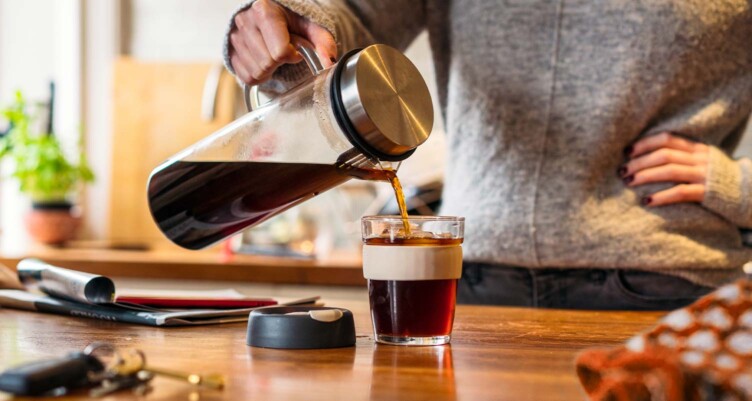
403	263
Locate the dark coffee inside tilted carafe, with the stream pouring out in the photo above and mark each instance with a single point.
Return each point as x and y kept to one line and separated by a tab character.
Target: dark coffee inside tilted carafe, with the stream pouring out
196	204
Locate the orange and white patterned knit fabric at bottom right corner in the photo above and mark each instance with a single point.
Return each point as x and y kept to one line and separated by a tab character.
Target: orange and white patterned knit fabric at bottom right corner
699	353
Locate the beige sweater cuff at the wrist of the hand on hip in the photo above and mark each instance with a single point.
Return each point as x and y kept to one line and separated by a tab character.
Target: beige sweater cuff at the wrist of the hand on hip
728	188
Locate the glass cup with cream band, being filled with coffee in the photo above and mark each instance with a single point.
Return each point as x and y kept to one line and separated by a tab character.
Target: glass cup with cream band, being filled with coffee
412	277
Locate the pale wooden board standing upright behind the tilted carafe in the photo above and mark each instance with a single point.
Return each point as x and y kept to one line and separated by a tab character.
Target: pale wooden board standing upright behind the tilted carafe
158	112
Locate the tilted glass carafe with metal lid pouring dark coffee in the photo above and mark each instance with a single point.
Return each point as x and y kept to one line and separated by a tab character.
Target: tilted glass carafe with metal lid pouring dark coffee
353	120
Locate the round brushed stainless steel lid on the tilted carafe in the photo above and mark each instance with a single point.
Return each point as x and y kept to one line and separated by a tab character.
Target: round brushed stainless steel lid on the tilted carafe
386	100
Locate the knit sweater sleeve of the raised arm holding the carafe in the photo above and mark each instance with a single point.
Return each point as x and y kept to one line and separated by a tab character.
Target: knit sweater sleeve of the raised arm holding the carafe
353	23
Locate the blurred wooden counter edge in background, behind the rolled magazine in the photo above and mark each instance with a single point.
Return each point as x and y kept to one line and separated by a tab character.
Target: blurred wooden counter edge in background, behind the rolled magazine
337	269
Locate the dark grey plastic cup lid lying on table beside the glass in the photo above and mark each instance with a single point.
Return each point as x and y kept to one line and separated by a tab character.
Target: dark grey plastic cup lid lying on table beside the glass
301	327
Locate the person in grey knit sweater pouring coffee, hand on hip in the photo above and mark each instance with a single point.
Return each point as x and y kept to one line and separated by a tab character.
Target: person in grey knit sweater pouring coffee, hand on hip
588	141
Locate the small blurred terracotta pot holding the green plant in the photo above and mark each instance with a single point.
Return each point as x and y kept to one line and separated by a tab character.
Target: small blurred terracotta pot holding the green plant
53	223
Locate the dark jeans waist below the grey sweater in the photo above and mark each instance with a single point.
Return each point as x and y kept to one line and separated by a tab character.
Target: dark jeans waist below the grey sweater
485	284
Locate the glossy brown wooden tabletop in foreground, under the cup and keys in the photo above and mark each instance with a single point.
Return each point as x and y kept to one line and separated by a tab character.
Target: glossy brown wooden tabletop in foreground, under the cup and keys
496	354
